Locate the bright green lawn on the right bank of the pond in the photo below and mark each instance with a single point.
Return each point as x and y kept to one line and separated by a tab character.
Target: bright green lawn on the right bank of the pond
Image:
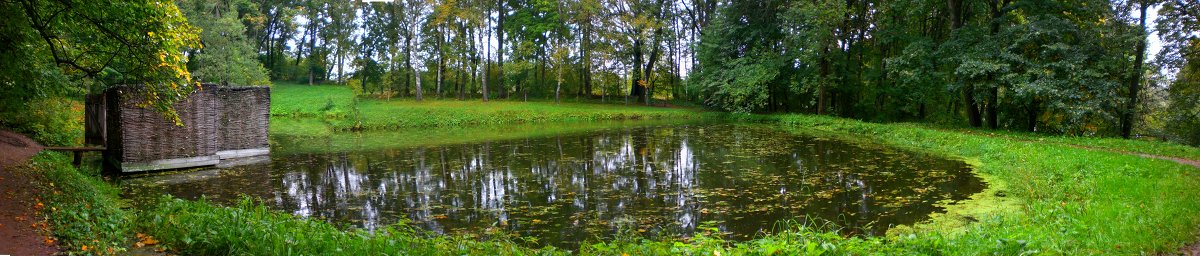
1066	200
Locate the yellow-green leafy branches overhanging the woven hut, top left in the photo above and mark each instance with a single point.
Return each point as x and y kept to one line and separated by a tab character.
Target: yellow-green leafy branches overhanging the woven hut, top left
74	47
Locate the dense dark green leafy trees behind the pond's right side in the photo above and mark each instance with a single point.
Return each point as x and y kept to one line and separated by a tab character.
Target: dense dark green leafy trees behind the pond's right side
1037	66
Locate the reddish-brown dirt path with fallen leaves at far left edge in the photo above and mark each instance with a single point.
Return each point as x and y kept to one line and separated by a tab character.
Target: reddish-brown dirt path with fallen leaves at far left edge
19	200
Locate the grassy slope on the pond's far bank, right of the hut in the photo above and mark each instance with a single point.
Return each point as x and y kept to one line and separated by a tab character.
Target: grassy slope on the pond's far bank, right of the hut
339	109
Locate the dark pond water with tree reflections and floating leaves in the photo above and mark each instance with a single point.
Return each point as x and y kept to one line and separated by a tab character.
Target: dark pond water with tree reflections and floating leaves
567	189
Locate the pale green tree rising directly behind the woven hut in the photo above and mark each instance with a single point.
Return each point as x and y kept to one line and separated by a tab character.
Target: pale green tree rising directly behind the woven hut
227	57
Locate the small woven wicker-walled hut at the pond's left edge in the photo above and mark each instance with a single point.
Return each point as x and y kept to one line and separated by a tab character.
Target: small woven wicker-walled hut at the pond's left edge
219	123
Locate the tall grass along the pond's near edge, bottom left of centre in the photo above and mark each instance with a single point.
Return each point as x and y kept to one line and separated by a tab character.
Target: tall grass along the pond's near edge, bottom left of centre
199	228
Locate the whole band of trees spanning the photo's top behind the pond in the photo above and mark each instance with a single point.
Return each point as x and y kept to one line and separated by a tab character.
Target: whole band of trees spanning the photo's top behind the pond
1077	68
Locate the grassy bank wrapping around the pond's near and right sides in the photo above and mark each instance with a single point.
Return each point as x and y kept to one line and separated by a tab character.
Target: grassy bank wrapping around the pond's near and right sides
1061	200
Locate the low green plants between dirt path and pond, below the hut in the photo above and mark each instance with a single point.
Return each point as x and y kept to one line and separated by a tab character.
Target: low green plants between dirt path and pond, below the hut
83	211
